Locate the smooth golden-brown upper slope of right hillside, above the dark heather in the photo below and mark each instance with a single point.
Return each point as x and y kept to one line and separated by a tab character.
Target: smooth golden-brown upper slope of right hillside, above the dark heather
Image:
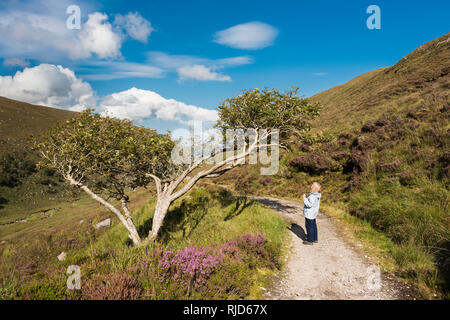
421	73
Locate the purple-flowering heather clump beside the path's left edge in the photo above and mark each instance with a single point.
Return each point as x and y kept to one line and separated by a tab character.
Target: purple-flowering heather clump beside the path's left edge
221	271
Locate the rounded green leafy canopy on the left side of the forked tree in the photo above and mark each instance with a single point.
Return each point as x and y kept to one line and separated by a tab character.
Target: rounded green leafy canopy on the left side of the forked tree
107	154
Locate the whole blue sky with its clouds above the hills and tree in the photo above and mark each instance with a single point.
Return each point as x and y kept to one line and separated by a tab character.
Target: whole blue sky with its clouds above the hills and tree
184	51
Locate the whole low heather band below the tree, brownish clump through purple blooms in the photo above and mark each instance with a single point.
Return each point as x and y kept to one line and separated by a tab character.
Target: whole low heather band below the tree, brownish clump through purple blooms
218	271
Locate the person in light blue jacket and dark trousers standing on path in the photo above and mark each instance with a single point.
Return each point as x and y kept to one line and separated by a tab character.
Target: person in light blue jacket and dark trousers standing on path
310	211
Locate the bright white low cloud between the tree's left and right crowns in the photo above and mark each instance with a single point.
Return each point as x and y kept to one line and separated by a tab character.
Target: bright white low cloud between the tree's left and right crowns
137	104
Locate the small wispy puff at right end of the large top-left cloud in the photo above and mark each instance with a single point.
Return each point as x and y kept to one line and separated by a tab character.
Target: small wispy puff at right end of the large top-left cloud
135	26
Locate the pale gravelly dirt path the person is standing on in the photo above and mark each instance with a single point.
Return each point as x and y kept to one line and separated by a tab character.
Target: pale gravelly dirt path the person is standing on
331	269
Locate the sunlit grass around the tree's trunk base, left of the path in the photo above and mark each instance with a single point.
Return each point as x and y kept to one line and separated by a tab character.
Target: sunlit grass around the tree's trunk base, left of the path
207	219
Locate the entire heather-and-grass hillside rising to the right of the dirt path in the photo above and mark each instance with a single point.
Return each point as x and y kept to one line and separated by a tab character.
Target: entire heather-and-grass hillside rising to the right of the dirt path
385	160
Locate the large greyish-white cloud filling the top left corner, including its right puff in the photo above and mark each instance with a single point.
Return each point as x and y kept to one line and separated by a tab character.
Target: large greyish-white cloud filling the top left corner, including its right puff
39	32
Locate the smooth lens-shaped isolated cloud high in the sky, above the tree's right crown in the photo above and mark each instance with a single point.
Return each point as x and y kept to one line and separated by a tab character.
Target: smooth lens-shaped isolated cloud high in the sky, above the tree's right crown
250	36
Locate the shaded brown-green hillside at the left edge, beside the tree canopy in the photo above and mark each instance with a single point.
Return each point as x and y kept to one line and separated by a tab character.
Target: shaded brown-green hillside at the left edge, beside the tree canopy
23	191
